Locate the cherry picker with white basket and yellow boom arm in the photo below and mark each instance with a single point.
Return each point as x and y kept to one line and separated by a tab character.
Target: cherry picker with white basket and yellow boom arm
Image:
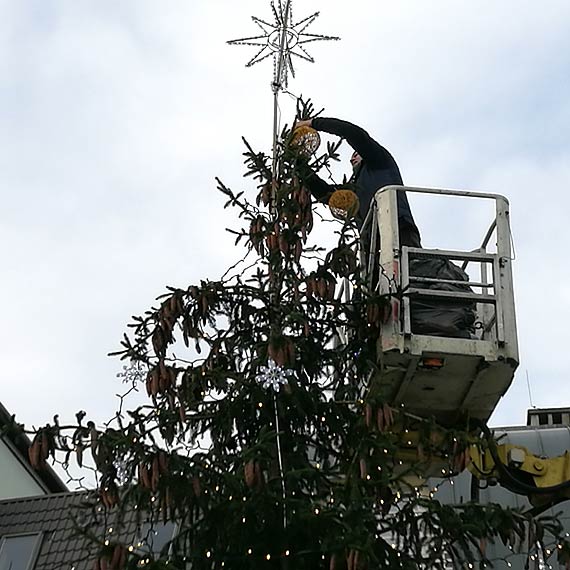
449	380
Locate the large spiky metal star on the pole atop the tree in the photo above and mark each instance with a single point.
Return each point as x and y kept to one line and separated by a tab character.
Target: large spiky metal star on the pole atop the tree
283	40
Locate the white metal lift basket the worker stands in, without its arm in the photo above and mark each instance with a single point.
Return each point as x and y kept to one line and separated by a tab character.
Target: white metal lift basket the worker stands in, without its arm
442	377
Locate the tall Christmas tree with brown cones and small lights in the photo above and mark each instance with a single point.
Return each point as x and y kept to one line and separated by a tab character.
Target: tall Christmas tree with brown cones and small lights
265	439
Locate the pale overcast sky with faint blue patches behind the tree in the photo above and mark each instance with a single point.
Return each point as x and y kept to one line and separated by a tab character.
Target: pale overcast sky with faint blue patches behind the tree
116	116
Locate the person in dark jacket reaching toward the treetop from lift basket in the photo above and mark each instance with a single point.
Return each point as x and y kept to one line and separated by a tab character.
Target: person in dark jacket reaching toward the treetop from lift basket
373	167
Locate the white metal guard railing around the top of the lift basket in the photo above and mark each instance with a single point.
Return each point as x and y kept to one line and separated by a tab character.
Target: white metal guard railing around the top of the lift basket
491	292
